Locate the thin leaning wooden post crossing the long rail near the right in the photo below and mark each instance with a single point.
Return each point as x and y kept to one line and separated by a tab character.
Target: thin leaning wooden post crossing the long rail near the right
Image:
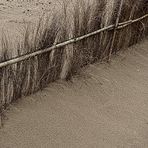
115	29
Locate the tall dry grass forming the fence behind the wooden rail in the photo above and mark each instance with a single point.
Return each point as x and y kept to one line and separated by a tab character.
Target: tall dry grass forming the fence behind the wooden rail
73	19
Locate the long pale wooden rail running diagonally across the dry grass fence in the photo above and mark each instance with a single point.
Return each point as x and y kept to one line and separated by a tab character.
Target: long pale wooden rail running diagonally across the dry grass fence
29	55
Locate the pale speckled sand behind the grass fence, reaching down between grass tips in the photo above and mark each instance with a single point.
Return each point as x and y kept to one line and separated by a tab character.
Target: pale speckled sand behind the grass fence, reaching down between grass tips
15	15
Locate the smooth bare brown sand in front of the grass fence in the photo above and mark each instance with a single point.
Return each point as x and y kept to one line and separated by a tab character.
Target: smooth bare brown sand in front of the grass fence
106	106
